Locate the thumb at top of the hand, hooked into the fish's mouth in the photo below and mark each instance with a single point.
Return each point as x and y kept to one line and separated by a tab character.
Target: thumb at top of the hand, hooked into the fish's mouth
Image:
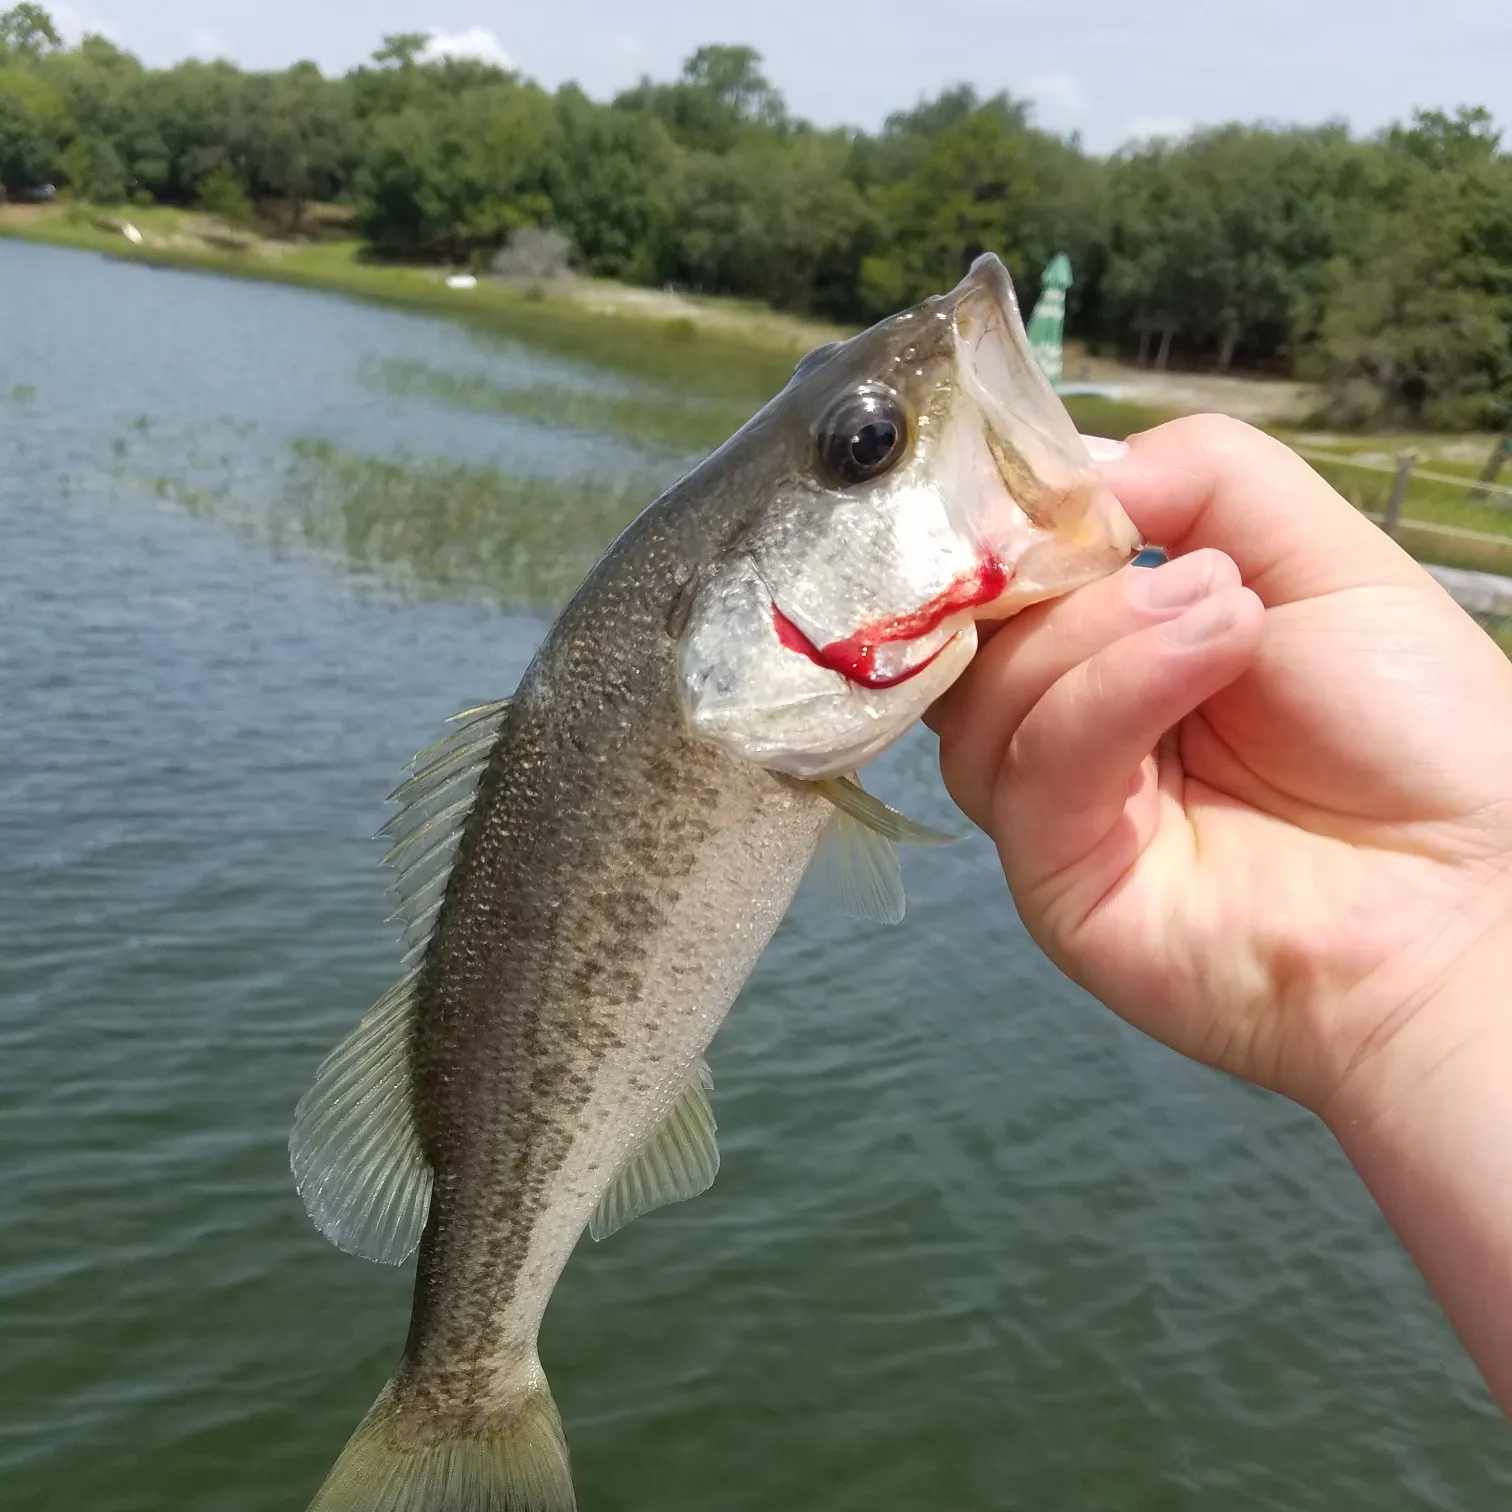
1212	482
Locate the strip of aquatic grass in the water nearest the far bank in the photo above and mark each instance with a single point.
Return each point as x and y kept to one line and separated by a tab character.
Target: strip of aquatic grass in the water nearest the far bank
651	418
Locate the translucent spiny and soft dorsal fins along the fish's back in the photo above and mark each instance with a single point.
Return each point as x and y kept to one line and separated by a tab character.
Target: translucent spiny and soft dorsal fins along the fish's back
356	1156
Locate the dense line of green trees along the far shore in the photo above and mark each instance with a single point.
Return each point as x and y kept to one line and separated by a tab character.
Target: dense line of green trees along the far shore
1381	265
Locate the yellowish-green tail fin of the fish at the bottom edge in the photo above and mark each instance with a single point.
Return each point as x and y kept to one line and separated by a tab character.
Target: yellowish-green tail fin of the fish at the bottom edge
516	1464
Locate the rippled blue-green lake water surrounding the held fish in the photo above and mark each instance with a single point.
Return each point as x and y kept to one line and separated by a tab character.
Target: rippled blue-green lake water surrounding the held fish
974	1244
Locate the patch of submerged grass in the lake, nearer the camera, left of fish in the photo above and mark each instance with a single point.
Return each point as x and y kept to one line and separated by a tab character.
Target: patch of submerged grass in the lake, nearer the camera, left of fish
522	541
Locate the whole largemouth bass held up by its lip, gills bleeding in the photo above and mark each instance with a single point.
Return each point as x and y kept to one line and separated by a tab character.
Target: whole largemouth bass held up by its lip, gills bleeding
589	870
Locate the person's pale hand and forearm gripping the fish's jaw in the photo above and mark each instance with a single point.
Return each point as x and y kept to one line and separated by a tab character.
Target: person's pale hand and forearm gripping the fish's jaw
1259	801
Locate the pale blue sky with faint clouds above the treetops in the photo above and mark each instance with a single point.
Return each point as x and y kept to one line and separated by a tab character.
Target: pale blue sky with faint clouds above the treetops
1112	70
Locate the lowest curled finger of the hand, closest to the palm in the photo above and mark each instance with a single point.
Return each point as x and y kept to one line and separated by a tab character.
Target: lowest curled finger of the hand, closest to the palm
1076	804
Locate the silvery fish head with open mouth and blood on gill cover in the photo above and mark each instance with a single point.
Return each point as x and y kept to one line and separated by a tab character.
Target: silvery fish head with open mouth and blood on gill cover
923	477
